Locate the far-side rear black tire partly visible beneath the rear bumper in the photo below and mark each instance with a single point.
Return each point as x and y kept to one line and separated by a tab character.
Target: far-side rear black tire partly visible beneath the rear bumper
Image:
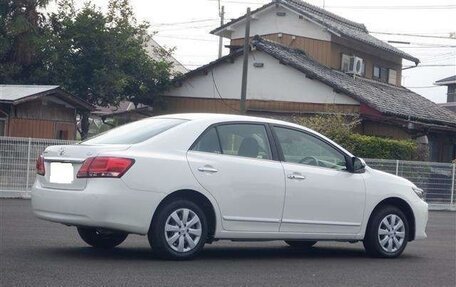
101	239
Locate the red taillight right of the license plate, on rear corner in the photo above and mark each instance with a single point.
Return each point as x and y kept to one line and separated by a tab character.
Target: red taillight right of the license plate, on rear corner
104	166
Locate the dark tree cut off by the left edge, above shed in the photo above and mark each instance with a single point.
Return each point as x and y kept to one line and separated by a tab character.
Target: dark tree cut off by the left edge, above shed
22	41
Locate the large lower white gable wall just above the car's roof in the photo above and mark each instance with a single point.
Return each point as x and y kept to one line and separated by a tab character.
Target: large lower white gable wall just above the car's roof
274	81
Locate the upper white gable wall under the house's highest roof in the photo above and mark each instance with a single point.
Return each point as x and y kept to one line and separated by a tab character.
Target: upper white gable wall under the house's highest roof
267	22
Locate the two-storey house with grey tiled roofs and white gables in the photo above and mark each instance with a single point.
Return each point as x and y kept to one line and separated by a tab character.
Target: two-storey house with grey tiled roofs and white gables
305	60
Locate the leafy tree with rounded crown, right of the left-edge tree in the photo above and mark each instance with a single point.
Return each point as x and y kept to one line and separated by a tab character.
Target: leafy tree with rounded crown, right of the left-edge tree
101	58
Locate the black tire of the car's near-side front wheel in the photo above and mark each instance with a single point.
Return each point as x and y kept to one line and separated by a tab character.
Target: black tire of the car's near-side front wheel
372	238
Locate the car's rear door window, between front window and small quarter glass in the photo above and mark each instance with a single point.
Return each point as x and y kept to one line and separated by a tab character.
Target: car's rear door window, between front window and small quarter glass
246	140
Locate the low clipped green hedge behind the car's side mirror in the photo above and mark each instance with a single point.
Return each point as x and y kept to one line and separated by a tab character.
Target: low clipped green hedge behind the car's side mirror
377	147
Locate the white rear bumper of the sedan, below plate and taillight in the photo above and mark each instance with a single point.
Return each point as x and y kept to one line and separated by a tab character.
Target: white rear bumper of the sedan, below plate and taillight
105	203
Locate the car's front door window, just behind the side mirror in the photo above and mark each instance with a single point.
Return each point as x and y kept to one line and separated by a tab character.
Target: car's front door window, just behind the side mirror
300	147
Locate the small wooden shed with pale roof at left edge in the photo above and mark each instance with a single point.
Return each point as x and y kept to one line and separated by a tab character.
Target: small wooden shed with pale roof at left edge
39	111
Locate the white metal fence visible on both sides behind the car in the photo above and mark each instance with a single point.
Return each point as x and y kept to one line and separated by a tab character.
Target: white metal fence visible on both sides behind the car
18	156
